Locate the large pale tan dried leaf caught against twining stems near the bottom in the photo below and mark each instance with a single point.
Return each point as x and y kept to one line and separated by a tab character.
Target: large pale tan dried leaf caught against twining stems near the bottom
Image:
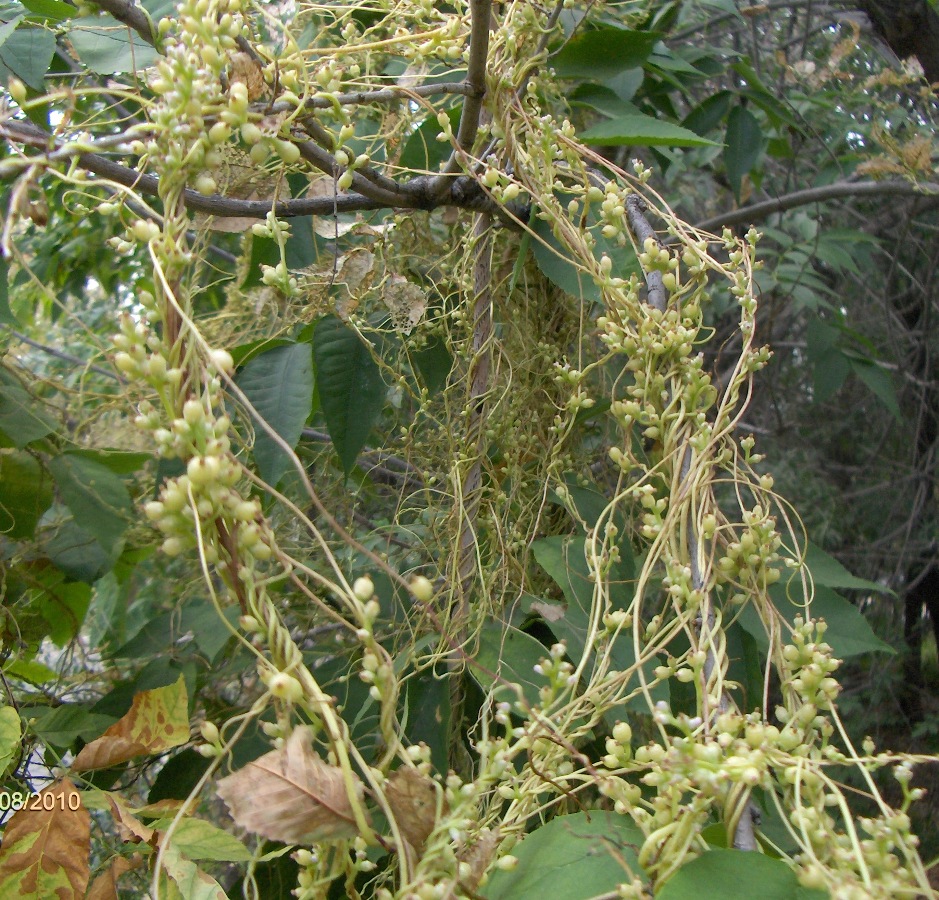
291	795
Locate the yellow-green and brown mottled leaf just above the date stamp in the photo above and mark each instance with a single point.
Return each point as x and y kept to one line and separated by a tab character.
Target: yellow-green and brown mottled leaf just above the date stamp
158	720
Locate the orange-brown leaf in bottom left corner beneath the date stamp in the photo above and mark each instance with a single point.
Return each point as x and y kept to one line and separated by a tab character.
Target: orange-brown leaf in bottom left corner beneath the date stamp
45	851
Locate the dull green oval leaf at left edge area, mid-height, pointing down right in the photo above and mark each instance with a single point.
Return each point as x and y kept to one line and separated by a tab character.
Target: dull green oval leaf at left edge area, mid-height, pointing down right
96	497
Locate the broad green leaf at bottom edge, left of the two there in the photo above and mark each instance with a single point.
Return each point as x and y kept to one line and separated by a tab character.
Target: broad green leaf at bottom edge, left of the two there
575	857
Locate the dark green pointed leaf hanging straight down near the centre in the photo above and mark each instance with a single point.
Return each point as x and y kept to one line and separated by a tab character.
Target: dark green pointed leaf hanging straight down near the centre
350	387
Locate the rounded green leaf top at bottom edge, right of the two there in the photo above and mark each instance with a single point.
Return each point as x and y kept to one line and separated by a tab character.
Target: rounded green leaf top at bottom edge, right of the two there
735	875
